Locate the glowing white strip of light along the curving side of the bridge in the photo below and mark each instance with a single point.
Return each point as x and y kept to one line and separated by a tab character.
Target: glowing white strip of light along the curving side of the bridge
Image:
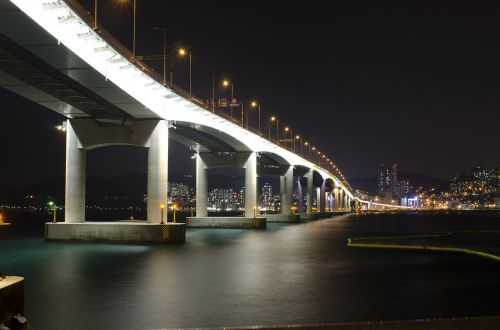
60	21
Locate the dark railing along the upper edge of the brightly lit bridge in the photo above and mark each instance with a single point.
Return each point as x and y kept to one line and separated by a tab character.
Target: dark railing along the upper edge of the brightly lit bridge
88	18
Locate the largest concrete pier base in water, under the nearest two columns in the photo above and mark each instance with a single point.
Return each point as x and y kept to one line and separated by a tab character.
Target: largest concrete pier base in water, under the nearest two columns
120	231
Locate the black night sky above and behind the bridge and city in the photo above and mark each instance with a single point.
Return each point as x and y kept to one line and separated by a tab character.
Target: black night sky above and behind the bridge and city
412	82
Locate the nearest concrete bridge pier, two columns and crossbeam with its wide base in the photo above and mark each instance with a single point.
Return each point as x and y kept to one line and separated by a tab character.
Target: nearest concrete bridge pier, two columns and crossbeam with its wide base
85	134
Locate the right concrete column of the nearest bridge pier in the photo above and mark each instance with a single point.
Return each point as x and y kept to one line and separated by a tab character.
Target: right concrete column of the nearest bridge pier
158	172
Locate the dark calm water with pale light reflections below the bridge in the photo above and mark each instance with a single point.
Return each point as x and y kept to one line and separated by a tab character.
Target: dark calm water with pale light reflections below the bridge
287	274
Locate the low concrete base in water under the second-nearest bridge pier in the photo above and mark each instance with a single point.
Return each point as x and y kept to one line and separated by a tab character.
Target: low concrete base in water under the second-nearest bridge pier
226	222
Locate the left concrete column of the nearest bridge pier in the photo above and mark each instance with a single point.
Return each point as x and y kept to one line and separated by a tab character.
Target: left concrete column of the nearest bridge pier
74	204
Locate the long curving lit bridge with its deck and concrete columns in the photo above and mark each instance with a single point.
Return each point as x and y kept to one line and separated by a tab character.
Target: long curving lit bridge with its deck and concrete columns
51	55
